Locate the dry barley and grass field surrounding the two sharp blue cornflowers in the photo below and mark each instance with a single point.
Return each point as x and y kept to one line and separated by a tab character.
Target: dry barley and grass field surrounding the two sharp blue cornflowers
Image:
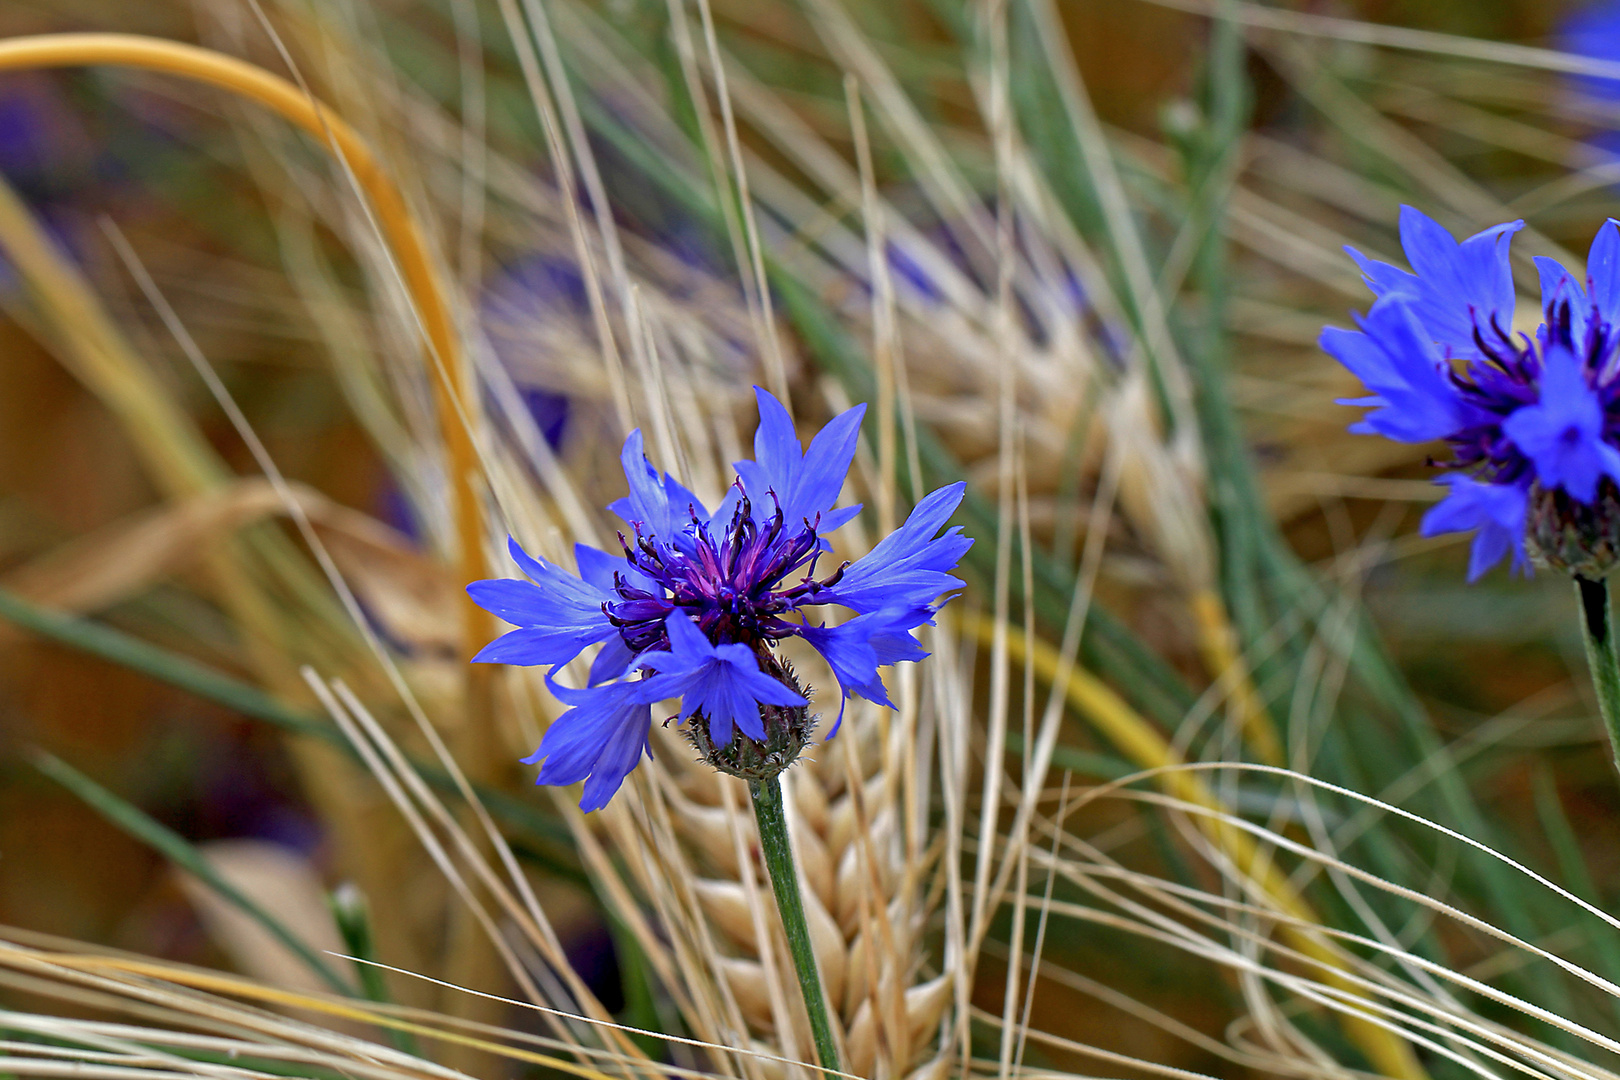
1217	768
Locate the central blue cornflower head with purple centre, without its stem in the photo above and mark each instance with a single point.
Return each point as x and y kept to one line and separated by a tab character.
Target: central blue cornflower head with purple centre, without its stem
696	606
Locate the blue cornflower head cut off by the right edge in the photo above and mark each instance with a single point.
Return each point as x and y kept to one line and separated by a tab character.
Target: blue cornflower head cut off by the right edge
1533	422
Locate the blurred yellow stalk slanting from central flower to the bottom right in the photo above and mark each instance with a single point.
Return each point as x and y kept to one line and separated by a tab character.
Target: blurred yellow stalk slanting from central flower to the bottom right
1146	747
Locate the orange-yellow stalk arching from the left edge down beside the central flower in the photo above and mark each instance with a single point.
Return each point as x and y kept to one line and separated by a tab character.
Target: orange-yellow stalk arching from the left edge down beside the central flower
451	380
